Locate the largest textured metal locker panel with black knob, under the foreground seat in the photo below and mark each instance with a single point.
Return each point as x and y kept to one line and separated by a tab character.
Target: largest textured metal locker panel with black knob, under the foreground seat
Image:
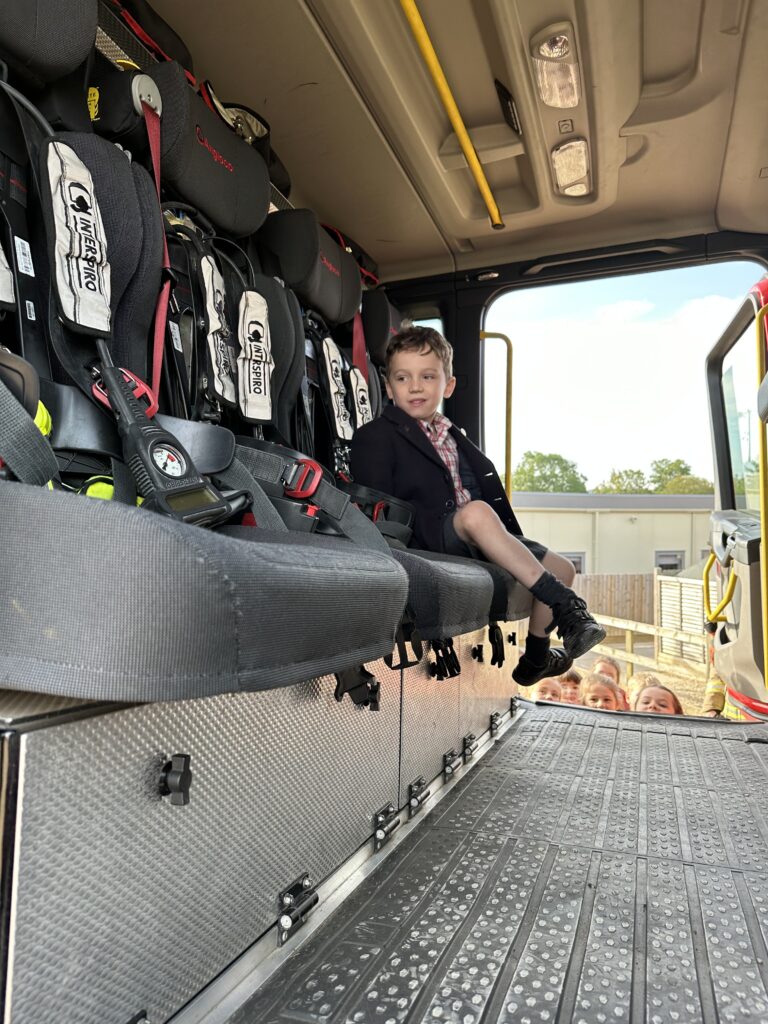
124	903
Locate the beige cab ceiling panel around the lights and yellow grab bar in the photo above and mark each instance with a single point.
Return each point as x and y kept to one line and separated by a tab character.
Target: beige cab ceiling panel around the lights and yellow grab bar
673	108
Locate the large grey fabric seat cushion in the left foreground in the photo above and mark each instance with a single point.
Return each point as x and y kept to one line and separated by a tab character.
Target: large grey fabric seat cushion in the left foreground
104	602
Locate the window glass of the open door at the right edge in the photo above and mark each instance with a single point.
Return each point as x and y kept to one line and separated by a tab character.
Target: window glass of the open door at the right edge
740	399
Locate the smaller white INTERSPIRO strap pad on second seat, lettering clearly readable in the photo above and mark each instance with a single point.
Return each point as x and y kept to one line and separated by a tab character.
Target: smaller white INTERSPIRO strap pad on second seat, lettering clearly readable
255	363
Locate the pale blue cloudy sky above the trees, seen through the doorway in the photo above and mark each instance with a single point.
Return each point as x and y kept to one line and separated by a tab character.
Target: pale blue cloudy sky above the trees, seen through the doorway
611	374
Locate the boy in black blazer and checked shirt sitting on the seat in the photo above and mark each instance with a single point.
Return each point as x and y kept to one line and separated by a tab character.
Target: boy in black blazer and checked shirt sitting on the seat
416	454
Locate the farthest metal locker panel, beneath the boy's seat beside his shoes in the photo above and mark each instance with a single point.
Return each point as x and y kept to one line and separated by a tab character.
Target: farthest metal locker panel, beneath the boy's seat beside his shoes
483	688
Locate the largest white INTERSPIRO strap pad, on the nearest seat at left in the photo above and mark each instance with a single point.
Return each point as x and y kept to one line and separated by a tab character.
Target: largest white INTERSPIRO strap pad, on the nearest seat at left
82	270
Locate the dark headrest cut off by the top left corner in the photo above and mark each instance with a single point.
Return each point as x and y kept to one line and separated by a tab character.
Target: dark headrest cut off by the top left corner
44	40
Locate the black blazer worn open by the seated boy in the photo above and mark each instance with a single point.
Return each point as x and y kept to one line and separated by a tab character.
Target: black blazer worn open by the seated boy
393	454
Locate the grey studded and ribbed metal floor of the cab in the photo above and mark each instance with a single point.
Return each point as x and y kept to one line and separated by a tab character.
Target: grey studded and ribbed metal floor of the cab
593	868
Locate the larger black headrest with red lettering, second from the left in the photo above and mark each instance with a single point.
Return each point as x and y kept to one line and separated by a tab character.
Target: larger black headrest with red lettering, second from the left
205	162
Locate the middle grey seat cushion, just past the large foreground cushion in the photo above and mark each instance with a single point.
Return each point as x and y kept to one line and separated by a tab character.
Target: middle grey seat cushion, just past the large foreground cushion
447	598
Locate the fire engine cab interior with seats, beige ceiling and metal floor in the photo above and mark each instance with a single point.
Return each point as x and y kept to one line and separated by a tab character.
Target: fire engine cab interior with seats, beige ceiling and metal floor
261	757
